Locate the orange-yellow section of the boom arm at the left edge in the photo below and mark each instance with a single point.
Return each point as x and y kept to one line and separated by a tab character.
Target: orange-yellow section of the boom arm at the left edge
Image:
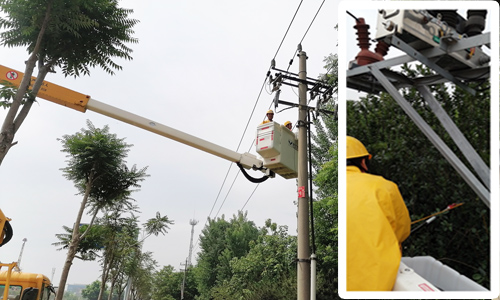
48	91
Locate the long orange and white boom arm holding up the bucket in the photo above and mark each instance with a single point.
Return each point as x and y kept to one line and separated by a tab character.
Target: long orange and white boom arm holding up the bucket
81	102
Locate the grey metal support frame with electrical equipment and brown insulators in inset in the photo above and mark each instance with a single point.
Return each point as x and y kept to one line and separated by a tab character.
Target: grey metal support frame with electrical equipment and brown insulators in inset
446	43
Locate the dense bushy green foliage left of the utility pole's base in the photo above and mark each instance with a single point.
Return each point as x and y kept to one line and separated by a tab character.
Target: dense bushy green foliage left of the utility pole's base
237	260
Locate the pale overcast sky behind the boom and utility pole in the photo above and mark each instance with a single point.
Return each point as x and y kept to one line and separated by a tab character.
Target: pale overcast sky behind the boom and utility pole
198	67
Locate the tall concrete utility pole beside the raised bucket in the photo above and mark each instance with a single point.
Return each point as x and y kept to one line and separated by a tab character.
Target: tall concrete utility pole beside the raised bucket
303	251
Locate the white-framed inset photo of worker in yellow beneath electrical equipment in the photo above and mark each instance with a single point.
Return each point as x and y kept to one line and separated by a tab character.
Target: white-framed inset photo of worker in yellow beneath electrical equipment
418	113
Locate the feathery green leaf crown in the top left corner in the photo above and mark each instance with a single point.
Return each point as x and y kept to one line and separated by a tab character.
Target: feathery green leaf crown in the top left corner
80	34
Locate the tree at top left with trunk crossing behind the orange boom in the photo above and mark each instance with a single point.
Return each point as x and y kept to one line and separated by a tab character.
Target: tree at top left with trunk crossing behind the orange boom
74	35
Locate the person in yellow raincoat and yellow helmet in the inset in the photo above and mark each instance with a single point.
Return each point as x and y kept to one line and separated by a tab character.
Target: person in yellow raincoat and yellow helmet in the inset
377	223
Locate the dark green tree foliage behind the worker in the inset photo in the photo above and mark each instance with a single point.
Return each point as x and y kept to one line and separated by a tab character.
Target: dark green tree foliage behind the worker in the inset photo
428	183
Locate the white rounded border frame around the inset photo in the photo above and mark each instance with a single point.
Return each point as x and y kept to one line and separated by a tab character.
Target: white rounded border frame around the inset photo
493	18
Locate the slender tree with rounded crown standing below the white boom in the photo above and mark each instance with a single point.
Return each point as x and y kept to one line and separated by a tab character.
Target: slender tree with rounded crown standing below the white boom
96	166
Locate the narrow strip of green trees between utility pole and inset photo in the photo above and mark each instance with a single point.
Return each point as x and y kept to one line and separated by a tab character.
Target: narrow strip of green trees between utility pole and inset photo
325	174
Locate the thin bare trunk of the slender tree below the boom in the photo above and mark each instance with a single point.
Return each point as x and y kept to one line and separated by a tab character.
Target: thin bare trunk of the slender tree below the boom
75	241
